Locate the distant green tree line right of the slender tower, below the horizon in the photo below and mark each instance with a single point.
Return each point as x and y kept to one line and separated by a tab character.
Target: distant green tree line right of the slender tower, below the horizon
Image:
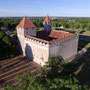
79	23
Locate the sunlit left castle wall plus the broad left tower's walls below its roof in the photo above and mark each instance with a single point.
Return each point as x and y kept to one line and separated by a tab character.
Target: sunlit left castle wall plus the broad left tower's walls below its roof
33	49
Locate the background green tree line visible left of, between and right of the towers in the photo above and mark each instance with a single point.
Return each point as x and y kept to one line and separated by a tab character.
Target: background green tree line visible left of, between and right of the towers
74	23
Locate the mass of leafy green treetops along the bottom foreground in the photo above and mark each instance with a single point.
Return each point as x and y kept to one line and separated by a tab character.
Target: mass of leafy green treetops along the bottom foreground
59	81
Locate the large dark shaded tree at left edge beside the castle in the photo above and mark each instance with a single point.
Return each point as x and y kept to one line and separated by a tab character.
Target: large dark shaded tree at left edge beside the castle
8	47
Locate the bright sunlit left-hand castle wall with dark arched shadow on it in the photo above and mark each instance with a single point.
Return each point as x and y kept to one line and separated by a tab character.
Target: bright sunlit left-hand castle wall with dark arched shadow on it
34	50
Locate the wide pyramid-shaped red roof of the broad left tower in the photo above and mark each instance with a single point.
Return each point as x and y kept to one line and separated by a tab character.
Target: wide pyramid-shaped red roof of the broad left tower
25	23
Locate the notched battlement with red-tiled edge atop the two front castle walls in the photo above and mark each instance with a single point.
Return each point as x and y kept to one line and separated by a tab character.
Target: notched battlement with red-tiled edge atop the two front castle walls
51	43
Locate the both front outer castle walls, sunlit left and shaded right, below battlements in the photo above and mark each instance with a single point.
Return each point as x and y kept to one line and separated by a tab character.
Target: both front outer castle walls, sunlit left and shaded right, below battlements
39	51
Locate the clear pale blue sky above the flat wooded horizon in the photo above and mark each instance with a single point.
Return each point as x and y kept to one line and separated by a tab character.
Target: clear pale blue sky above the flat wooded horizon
62	8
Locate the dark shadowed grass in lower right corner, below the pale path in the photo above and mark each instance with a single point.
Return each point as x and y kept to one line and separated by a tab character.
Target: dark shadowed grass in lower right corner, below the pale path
81	68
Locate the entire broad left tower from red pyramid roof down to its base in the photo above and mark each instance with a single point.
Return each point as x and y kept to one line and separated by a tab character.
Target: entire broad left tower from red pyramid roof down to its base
24	28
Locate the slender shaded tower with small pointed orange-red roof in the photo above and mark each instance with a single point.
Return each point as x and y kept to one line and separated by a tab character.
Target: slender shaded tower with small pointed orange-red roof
47	25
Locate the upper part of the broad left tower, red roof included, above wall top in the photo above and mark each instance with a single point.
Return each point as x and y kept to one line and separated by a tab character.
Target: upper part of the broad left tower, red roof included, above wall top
26	27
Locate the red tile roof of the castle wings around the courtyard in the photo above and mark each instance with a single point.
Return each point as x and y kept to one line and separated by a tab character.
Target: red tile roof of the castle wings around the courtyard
55	34
